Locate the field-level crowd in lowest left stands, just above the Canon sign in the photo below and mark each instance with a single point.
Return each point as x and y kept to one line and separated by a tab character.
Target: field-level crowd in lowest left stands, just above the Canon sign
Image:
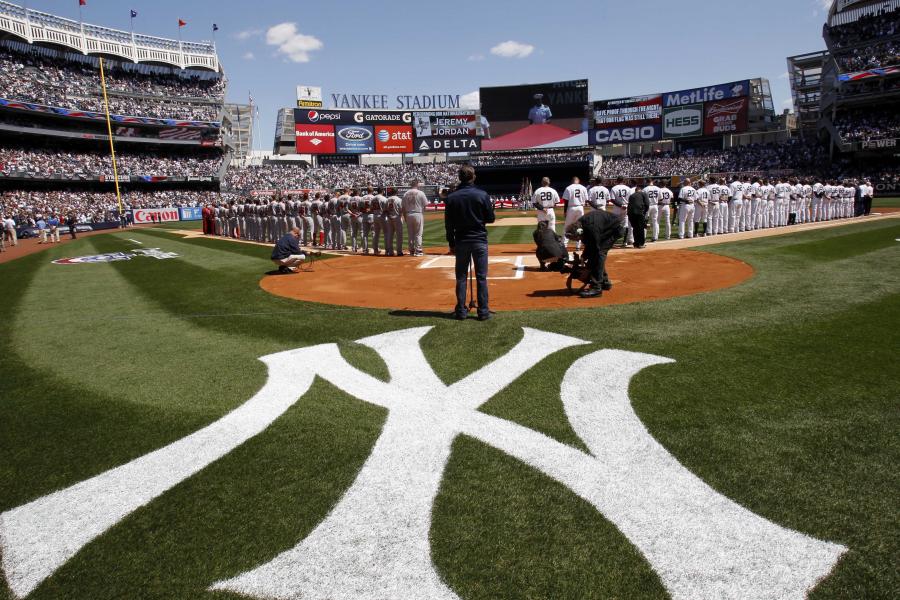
26	207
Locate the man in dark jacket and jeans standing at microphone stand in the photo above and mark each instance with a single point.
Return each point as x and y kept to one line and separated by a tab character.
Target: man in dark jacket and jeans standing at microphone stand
467	211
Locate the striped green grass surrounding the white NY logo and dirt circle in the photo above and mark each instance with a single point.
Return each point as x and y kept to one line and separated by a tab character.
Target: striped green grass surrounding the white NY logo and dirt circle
783	397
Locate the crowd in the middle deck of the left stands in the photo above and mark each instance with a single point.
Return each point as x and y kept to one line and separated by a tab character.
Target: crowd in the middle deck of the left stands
52	162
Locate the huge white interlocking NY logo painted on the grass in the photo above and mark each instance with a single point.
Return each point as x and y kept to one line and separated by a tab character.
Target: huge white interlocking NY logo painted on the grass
374	543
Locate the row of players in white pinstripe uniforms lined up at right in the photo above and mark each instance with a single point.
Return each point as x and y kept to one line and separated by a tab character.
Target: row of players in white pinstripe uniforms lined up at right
718	207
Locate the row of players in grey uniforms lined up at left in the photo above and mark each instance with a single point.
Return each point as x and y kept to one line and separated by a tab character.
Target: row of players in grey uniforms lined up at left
347	221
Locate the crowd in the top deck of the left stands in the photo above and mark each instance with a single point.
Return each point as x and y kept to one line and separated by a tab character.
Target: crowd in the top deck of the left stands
28	74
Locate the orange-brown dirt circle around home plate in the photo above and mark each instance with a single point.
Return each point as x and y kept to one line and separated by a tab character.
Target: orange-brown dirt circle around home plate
514	281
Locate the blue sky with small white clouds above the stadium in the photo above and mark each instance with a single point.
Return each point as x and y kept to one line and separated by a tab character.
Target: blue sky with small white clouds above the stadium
624	47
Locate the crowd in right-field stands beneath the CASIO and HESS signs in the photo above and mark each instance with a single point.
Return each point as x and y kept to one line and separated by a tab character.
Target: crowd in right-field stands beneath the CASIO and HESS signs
753	158
